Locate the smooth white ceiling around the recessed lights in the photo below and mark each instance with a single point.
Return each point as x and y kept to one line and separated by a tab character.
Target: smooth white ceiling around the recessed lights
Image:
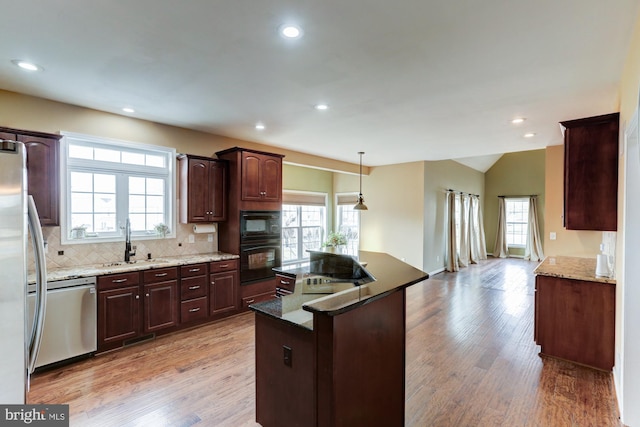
406	80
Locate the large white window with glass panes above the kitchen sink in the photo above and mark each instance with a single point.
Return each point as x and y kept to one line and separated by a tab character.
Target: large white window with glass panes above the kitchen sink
108	181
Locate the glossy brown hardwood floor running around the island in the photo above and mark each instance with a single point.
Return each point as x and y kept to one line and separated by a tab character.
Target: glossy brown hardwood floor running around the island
471	361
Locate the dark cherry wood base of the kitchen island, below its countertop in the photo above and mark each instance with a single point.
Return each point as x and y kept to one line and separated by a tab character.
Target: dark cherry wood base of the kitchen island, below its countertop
348	371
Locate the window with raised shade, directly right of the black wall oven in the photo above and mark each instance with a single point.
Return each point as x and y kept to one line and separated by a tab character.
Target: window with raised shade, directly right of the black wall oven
304	223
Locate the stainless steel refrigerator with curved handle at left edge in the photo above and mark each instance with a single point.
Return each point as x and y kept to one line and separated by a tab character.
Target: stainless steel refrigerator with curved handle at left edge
18	216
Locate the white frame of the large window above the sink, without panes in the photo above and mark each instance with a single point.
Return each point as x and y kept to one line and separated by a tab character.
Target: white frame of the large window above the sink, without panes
122	171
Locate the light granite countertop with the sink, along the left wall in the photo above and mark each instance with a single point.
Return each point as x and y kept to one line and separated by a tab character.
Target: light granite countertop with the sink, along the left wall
54	275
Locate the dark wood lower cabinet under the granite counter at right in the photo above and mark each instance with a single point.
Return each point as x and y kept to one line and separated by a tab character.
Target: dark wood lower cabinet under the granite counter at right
575	320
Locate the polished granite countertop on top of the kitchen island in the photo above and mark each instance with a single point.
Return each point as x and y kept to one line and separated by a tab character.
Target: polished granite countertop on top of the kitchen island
331	297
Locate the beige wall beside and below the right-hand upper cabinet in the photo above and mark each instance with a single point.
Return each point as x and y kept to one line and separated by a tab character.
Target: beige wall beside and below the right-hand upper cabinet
568	242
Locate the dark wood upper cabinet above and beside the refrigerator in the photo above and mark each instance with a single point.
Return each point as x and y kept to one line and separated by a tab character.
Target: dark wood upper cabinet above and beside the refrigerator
42	171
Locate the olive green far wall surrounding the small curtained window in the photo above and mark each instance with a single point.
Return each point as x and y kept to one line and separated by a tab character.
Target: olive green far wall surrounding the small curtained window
514	174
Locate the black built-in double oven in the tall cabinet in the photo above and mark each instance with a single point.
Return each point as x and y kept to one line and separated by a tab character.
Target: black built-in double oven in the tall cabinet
260	245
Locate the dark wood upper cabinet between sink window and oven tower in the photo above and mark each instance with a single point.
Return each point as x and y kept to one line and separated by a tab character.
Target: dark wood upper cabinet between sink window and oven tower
203	184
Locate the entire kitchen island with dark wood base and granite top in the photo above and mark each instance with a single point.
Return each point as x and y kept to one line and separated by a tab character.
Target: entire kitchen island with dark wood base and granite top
332	353
